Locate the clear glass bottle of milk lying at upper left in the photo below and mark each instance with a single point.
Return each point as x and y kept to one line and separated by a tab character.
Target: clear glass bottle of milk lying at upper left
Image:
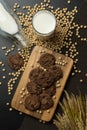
9	25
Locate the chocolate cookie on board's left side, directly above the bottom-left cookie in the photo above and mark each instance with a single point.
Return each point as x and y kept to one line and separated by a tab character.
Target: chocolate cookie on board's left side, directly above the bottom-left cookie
33	88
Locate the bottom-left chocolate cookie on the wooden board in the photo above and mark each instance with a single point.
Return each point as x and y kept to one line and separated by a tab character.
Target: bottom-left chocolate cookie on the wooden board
32	102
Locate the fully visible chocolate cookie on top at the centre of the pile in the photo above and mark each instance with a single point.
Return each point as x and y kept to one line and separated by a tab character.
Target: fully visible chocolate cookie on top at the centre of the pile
45	79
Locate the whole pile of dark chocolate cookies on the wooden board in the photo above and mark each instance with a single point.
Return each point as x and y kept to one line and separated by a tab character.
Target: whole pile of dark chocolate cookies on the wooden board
42	84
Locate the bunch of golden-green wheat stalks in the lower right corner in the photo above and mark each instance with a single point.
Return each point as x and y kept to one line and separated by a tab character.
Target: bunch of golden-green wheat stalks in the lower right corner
74	116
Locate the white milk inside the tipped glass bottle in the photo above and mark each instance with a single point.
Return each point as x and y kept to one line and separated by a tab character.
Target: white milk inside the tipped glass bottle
7	22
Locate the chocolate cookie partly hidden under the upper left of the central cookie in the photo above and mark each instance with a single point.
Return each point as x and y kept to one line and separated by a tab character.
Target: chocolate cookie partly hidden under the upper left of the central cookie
34	73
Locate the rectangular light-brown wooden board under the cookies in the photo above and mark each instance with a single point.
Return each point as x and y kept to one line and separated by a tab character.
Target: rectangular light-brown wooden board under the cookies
21	91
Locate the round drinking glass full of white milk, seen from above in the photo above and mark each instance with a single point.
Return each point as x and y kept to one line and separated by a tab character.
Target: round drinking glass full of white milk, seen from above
44	24
